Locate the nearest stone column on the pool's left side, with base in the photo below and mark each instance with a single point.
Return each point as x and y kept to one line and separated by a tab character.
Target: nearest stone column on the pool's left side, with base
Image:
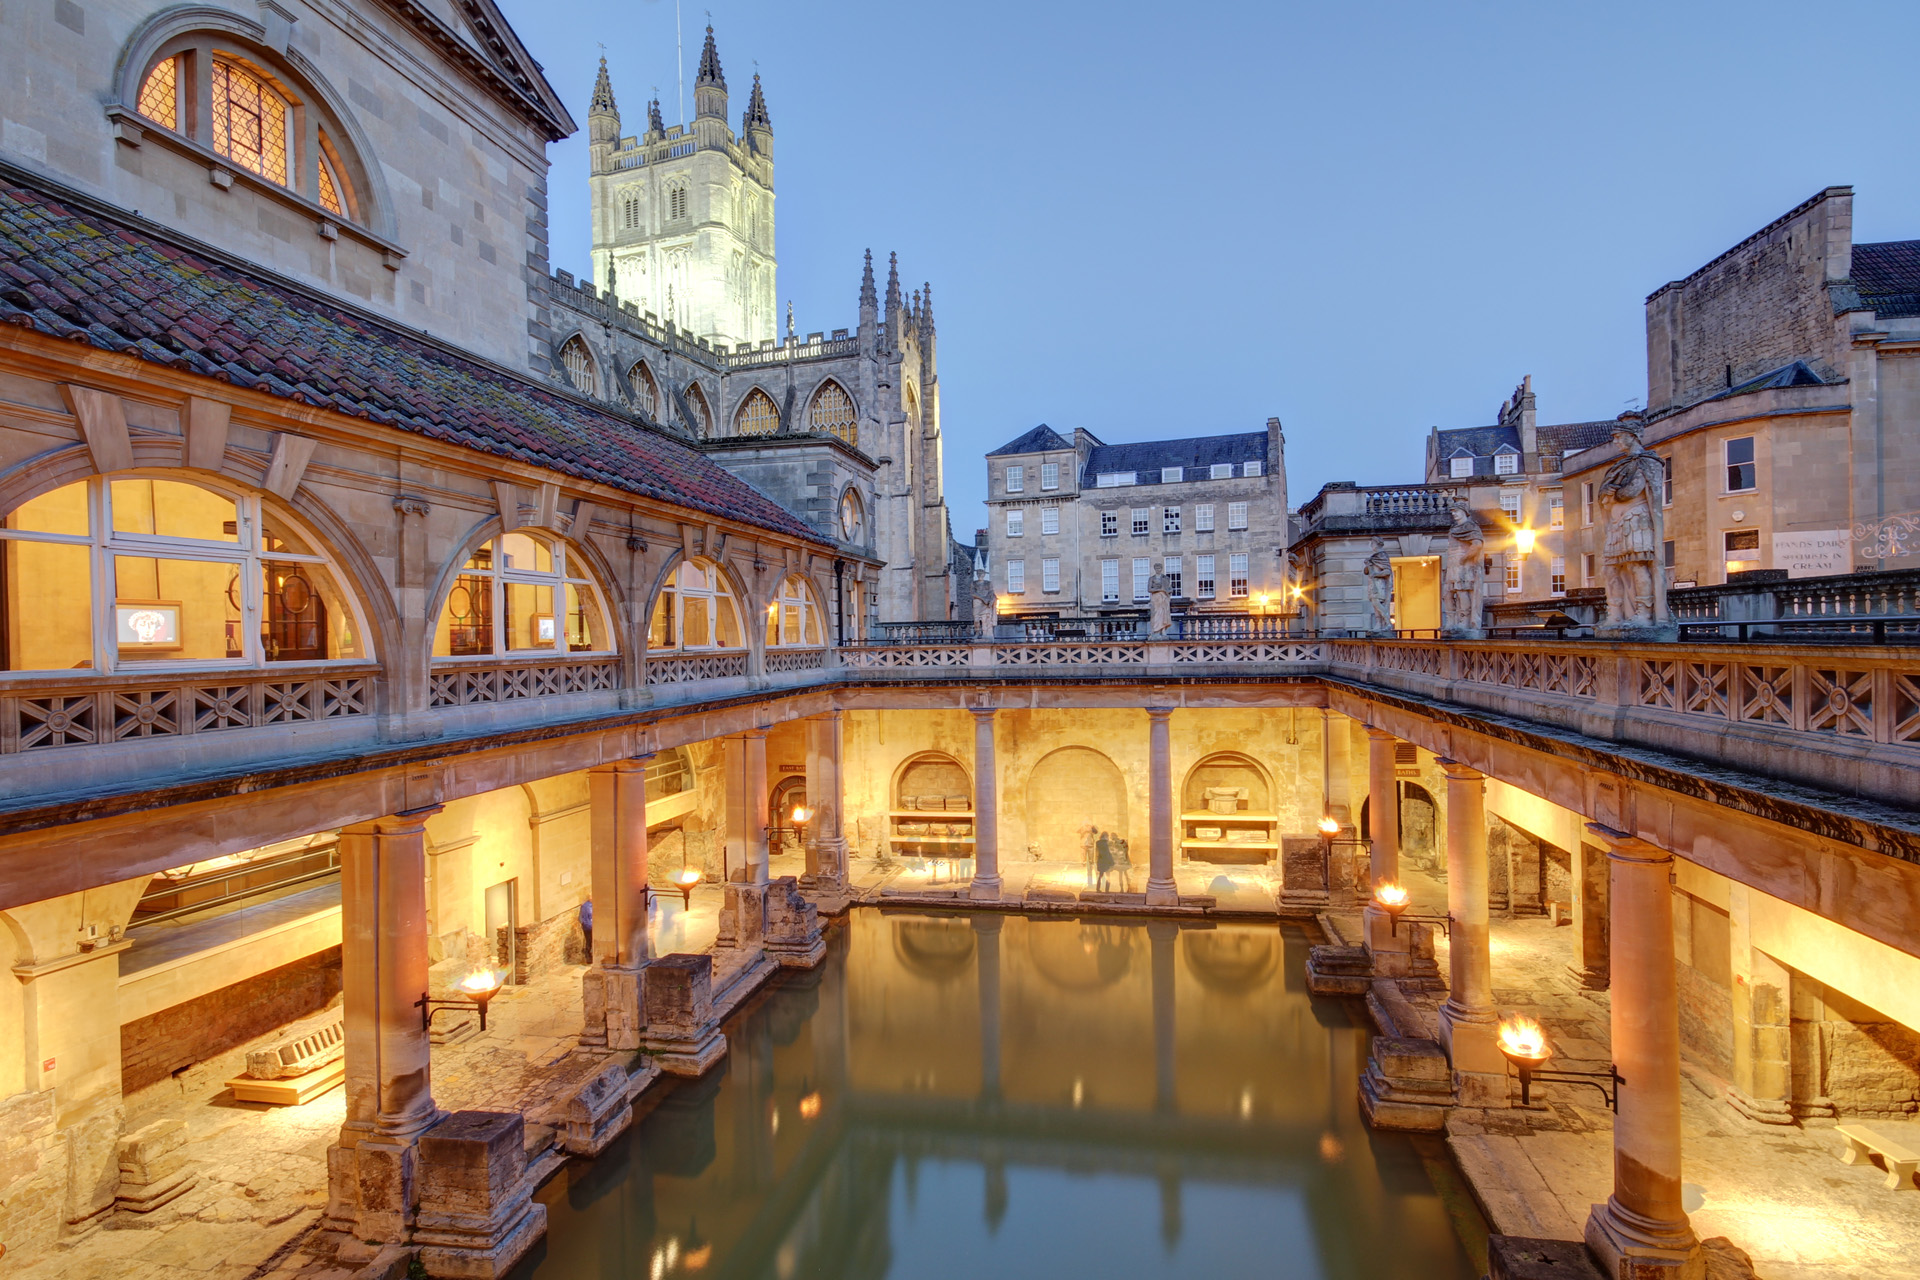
389	1068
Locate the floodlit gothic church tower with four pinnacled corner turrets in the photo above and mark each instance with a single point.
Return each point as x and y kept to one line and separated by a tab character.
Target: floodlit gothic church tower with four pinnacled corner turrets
684	216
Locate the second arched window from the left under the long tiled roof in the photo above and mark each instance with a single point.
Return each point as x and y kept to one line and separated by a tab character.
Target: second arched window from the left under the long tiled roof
519	596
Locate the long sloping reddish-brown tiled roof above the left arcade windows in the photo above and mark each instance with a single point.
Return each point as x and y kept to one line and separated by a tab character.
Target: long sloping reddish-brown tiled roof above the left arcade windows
95	279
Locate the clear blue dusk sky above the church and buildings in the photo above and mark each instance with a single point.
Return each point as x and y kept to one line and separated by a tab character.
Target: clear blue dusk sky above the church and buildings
1364	220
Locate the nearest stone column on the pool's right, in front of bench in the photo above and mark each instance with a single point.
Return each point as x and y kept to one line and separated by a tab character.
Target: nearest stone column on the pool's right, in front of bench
1643	1231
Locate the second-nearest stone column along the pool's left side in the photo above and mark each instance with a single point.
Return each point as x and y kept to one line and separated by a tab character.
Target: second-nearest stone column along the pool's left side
612	997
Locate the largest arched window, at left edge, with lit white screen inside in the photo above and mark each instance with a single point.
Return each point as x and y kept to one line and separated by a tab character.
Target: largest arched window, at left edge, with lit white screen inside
122	571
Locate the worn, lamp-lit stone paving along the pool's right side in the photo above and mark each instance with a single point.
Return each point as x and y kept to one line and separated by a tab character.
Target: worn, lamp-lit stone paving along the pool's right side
1777	1191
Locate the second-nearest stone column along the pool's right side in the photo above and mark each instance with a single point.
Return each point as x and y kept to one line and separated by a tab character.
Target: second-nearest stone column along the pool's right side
1468	1018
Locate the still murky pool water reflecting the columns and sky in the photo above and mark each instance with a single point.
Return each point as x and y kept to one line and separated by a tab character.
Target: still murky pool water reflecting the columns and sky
1009	1097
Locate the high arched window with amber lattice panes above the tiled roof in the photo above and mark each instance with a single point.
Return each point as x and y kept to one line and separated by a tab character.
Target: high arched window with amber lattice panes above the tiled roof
256	120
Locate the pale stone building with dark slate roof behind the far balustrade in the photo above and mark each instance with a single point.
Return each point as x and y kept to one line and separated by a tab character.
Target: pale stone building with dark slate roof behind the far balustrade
1078	527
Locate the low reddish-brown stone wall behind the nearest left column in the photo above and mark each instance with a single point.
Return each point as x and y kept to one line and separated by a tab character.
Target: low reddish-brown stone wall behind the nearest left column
156	1047
